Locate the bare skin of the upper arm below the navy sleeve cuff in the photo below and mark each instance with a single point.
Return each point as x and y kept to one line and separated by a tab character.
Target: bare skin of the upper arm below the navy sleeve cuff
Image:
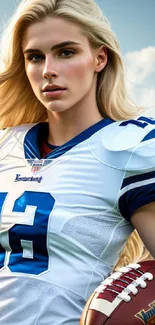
143	219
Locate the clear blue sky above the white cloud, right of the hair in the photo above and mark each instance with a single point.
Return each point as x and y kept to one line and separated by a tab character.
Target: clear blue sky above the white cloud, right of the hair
132	20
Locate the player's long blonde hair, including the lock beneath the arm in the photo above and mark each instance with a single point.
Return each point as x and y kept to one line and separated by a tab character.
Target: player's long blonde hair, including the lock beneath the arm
18	103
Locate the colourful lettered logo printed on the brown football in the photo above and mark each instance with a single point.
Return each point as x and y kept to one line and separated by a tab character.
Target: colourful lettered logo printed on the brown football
148	316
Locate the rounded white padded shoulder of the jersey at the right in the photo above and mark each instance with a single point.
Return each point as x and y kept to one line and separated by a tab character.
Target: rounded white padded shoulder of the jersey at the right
126	144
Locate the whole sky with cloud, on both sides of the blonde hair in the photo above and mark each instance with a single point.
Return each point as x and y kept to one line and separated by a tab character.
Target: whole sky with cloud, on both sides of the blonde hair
133	21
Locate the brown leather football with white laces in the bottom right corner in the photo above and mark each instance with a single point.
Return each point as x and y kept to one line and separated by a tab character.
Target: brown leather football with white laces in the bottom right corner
126	297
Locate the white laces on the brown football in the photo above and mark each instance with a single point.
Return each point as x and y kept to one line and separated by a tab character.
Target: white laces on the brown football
131	288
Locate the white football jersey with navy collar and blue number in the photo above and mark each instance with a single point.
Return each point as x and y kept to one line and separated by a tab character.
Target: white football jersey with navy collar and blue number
65	218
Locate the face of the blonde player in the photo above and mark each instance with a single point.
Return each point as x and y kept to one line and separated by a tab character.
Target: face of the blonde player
57	54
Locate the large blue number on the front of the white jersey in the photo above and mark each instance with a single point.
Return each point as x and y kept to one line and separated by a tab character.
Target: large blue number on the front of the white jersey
23	248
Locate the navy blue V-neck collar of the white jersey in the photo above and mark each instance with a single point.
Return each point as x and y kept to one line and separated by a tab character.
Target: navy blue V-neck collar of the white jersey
31	142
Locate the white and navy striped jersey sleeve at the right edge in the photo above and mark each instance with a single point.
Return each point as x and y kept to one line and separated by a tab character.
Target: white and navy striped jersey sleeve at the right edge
138	186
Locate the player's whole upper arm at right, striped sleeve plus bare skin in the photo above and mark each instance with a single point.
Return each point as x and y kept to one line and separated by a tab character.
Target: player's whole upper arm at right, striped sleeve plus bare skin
137	194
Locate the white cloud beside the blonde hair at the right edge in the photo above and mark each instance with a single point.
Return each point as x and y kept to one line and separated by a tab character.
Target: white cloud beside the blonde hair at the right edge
140	78
